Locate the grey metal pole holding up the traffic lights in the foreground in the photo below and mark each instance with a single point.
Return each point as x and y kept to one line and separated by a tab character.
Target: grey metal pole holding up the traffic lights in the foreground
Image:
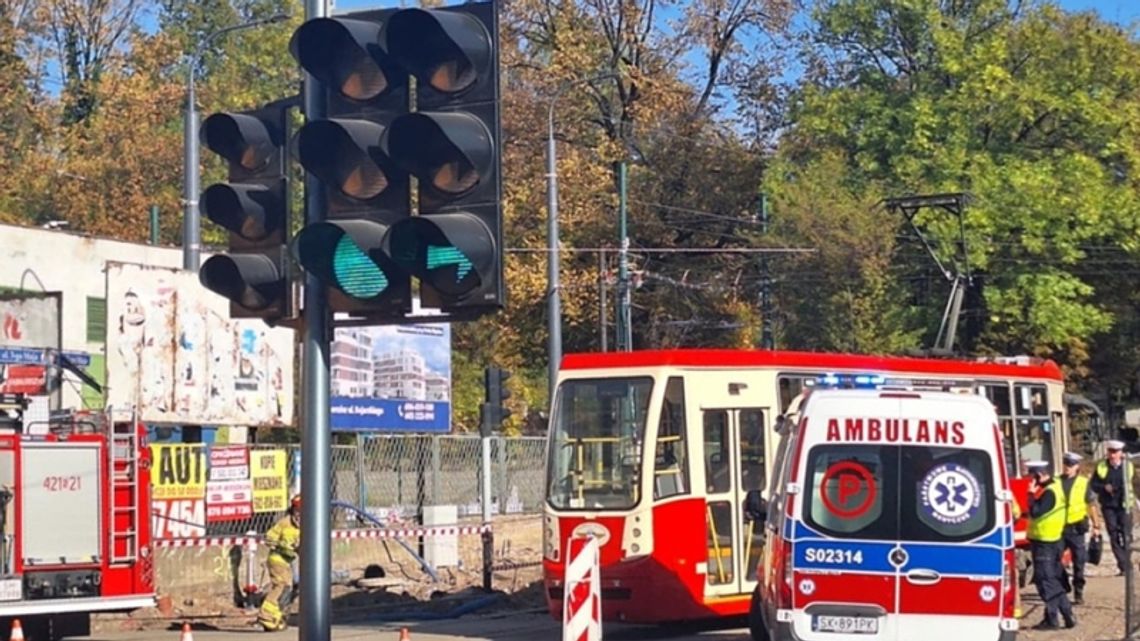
316	440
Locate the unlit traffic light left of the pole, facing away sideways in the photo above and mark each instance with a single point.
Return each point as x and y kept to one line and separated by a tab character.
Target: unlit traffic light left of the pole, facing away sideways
254	206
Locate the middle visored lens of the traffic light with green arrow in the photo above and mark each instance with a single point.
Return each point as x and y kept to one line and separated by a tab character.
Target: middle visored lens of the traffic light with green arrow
452	152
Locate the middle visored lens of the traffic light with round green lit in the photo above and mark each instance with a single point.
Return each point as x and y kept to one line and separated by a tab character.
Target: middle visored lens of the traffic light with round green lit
346	155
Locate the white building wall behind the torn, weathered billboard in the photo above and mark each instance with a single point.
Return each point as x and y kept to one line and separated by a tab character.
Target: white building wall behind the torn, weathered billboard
47	261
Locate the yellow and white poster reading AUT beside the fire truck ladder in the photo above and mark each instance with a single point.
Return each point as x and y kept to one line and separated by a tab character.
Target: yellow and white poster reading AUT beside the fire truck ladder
178	491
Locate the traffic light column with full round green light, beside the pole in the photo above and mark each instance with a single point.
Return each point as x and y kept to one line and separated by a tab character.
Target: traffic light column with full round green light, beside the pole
365	193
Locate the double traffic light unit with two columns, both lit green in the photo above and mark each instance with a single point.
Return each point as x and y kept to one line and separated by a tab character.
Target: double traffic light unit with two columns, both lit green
373	150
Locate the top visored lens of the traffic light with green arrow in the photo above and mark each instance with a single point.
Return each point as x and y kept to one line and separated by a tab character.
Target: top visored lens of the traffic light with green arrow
443	50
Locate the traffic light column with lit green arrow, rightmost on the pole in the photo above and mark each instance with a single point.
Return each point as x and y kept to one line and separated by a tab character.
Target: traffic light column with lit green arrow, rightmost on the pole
453	147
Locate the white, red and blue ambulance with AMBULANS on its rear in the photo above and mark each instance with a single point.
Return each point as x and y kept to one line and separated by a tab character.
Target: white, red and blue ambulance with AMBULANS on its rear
891	518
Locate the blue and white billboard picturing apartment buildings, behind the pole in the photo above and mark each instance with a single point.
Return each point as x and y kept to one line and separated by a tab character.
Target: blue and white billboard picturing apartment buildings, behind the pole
392	378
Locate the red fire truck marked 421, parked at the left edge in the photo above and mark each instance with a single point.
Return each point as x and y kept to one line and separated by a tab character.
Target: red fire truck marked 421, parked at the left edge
75	533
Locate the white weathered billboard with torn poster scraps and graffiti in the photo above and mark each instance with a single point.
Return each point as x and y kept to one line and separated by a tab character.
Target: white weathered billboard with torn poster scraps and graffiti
174	353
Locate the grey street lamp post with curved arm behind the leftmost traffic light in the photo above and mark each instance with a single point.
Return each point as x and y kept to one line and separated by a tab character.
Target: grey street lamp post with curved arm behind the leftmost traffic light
192	221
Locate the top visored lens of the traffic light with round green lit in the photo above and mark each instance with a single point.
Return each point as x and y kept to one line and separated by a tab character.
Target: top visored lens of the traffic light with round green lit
346	54
